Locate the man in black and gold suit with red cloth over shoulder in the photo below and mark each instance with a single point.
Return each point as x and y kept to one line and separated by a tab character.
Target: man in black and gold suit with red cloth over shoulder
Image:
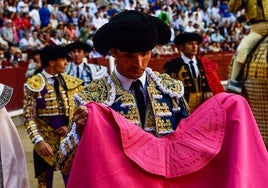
197	73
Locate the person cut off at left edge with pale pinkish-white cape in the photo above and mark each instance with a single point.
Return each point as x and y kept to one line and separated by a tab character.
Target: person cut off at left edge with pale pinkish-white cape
13	166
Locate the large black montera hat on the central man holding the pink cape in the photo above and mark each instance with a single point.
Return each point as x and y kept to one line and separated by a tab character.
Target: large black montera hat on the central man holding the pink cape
131	31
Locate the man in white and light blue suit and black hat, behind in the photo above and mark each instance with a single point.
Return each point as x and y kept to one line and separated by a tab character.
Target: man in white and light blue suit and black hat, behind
79	65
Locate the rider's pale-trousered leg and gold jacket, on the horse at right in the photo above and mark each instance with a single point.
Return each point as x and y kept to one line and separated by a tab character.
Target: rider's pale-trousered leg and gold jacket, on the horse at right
257	15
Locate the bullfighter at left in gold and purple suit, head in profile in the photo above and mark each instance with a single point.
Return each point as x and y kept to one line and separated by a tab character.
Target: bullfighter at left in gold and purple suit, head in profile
48	107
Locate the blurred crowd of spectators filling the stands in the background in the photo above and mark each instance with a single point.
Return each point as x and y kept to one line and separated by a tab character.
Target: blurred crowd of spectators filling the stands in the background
27	25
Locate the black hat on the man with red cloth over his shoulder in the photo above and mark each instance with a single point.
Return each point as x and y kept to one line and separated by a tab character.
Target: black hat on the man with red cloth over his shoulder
187	37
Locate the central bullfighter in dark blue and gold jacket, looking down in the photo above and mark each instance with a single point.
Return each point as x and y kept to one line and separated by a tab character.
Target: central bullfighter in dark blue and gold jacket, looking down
164	103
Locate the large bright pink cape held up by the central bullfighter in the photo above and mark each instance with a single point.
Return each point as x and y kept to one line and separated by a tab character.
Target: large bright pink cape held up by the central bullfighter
219	145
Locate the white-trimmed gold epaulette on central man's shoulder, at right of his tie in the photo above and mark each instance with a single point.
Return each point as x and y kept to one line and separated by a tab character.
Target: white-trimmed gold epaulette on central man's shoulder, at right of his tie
174	86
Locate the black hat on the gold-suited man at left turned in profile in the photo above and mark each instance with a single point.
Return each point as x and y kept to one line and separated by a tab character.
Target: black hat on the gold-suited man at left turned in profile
52	52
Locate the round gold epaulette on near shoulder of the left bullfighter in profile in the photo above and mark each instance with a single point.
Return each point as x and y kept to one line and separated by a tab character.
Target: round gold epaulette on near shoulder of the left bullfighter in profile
35	83
